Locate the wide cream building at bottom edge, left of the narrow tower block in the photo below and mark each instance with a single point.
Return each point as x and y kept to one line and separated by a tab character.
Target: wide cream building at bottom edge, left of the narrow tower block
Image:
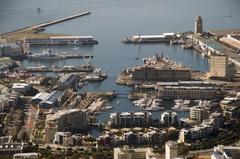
138	153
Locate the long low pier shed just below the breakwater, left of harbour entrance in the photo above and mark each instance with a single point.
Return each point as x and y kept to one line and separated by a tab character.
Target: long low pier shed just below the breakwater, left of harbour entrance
61	40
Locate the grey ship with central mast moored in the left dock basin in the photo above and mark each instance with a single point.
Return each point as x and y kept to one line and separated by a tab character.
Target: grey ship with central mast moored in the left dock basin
46	55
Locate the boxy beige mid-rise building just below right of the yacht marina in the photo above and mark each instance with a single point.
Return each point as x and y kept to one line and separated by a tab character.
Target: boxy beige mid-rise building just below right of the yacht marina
198	113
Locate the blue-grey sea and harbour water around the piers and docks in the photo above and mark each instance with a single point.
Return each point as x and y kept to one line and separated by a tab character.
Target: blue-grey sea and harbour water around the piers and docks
110	22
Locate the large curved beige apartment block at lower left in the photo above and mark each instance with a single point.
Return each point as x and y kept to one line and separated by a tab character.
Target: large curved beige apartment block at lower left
73	120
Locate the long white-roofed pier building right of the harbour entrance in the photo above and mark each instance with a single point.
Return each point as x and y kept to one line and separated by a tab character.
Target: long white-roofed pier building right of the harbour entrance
165	37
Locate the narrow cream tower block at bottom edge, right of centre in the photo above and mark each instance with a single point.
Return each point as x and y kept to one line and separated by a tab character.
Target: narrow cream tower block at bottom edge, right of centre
171	150
